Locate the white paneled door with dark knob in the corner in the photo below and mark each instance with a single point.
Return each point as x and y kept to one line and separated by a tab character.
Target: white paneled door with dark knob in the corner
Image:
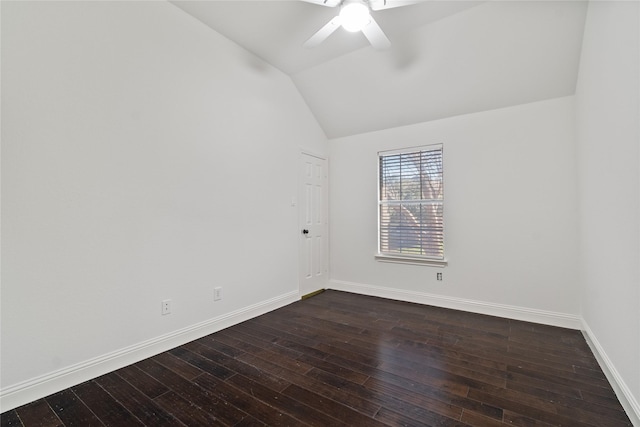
314	224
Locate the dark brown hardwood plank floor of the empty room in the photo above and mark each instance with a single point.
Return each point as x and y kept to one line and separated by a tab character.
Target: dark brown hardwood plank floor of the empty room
340	359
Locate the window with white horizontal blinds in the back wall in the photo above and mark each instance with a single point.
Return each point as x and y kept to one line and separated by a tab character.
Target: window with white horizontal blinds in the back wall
411	204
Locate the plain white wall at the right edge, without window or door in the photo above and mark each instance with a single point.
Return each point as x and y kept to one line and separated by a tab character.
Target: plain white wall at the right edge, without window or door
608	121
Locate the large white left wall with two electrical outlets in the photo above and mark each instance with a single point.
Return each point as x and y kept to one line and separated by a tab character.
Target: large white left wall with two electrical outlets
144	157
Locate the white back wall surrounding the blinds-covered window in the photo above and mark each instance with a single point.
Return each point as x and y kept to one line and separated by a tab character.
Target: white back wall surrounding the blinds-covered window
510	209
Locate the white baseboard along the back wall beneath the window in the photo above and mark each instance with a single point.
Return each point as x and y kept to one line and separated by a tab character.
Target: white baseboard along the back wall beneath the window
482	307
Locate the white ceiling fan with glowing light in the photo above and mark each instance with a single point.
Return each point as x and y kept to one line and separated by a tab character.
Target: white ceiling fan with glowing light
355	16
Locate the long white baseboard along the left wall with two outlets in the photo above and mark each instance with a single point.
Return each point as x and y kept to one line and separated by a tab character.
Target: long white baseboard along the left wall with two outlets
36	388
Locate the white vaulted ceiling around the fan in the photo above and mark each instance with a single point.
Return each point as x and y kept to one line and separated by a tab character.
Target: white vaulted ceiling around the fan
447	57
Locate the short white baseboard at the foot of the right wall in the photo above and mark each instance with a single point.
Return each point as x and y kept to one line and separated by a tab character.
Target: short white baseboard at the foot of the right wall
624	394
